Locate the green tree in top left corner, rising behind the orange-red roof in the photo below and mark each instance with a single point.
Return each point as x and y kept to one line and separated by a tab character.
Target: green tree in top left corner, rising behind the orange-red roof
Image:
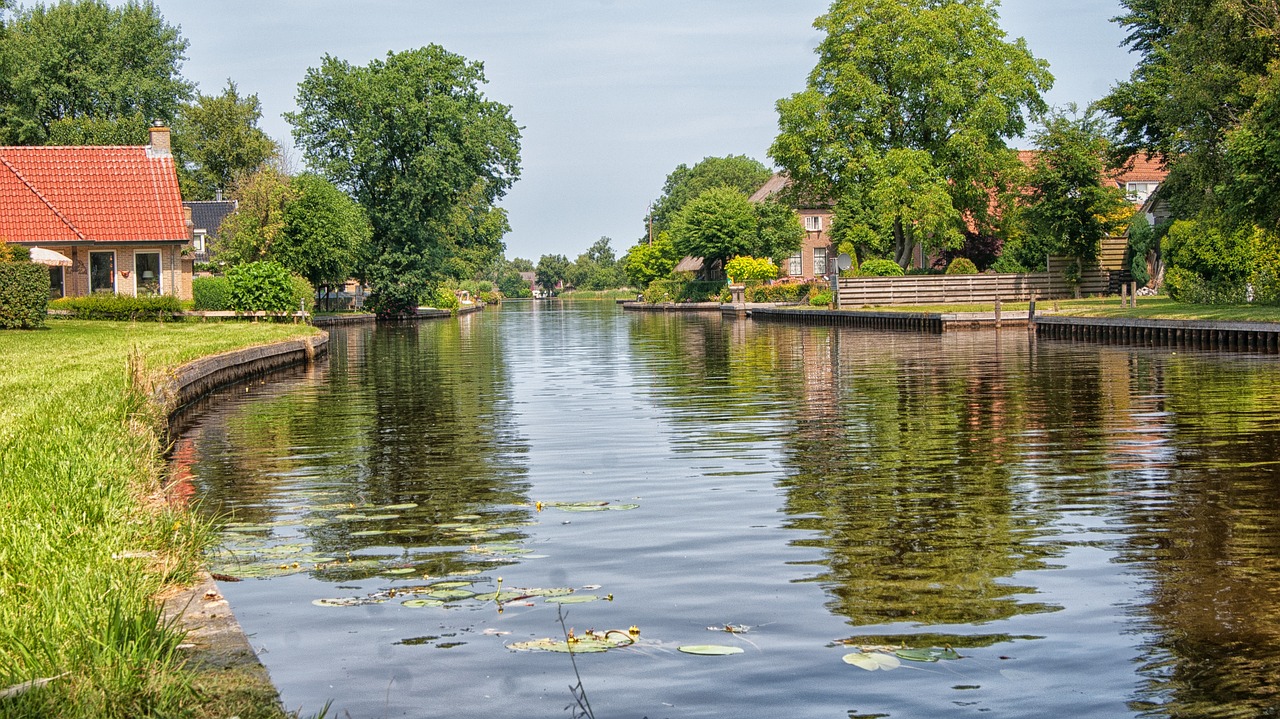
88	61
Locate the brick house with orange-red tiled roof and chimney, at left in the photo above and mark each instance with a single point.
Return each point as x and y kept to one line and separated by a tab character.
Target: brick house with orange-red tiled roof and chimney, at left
113	213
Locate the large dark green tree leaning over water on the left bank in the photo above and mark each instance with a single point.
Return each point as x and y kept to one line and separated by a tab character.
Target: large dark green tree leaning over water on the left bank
413	139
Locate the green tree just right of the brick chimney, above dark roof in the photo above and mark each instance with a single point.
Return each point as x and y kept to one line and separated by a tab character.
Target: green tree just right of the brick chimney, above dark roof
218	141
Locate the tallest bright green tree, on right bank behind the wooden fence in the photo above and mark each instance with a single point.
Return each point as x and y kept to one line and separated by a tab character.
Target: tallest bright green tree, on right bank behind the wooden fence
906	118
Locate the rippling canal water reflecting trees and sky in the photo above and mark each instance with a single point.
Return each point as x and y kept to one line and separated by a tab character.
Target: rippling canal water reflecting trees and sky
1094	529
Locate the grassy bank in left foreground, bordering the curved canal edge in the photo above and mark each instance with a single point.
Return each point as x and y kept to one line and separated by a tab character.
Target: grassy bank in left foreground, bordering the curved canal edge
86	539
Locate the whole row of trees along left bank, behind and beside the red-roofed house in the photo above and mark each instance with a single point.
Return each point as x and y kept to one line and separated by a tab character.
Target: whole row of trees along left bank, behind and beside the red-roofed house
412	182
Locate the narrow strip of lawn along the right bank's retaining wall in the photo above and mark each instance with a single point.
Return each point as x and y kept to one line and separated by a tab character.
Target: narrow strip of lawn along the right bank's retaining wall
1149	309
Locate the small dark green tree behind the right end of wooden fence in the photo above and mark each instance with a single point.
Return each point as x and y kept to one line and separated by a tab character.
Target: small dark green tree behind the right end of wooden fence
1069	207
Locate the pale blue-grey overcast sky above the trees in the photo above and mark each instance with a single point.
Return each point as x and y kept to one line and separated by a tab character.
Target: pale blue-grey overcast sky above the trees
611	95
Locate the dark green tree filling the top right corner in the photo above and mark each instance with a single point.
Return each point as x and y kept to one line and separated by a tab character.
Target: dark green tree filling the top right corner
1201	98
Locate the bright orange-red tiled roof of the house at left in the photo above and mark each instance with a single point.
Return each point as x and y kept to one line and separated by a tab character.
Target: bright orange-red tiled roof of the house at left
51	195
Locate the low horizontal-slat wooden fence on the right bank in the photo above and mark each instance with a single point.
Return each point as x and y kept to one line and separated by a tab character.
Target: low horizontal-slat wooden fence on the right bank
970	290
